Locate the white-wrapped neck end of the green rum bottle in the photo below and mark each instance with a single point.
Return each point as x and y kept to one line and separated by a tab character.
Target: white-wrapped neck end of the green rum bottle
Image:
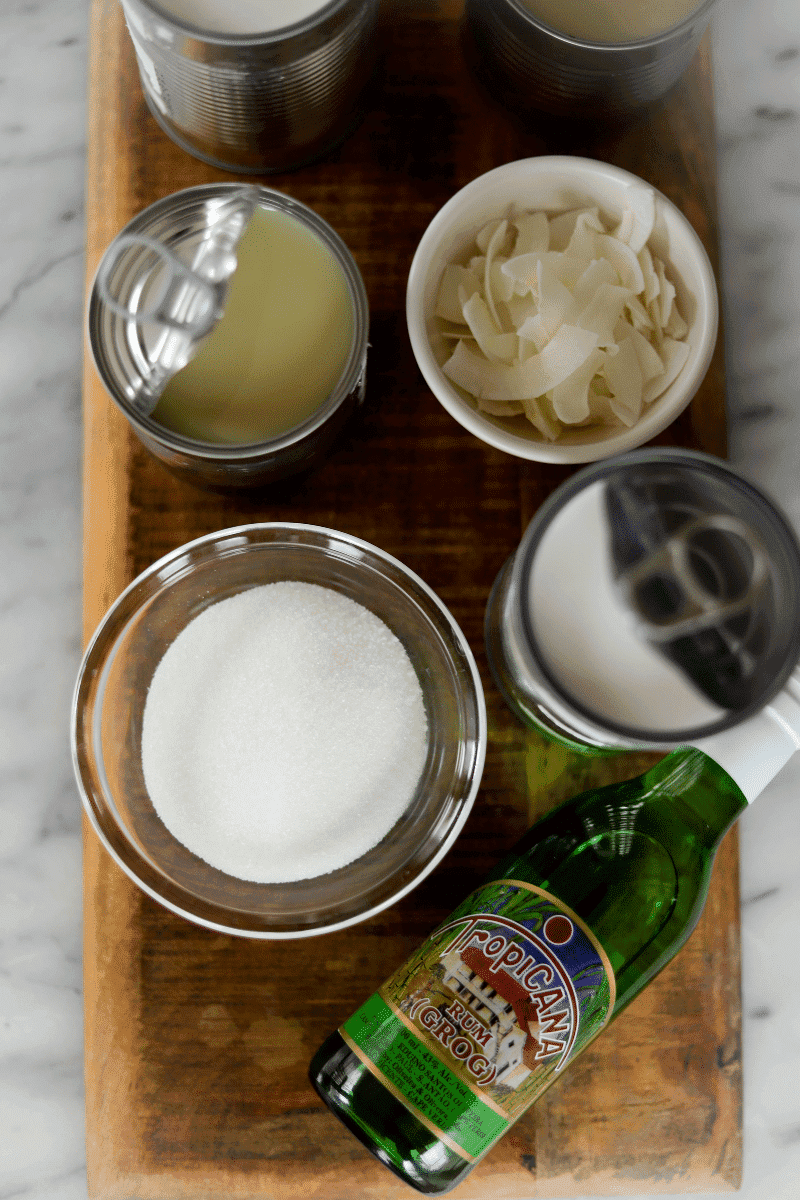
755	752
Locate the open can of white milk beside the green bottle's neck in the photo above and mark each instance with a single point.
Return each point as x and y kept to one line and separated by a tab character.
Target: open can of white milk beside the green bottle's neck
654	602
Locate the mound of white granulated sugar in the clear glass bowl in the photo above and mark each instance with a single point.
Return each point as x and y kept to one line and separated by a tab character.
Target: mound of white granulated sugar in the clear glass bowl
285	733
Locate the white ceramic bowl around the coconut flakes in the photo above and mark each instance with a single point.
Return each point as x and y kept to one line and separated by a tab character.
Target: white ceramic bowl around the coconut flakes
560	183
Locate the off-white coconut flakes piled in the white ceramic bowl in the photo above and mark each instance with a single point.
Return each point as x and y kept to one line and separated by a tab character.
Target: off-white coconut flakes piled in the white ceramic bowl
564	319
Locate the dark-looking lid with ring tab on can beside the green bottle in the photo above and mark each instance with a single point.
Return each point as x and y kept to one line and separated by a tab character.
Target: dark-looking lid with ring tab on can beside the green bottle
700	584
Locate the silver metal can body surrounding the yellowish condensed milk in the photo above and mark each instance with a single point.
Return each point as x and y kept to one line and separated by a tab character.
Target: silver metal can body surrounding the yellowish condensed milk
122	349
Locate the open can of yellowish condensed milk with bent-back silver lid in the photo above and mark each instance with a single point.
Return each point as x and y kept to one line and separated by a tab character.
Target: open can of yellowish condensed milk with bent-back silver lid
230	323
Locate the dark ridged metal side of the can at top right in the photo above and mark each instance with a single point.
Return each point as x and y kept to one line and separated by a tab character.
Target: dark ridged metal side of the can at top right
531	67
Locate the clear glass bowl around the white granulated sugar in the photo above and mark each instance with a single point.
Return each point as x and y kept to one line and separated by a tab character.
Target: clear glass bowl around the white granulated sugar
110	703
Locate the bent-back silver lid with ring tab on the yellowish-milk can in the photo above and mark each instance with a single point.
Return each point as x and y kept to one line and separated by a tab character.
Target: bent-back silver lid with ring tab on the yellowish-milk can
145	283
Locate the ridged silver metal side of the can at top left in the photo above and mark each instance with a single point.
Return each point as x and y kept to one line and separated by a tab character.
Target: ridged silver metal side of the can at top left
256	104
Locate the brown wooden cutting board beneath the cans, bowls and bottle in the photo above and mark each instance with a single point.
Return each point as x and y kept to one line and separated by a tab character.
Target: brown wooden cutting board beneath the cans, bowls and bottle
197	1045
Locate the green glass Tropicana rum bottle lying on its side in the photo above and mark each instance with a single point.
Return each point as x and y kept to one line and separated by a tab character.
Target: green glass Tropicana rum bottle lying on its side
574	923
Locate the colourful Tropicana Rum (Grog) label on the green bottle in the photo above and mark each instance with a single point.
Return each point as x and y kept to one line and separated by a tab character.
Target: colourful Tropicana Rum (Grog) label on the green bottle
486	1013
